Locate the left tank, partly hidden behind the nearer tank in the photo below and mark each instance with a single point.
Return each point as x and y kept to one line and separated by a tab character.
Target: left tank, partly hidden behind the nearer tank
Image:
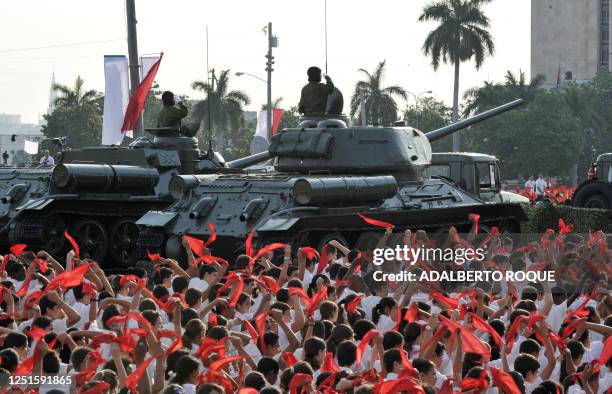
97	194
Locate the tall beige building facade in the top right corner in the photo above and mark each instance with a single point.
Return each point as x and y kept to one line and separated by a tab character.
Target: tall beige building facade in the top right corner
569	39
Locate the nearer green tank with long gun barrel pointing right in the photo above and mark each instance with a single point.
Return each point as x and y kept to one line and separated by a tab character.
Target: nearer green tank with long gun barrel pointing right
325	173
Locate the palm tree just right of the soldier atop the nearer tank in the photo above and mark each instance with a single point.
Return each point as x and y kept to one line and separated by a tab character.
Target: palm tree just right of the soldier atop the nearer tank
380	106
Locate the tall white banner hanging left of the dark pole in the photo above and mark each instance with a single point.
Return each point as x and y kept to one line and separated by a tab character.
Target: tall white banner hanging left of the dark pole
116	97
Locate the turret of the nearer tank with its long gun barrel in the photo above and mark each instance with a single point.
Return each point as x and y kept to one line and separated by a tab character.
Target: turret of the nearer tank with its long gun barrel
331	145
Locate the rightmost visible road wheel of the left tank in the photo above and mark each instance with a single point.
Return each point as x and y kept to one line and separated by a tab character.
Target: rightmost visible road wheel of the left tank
123	236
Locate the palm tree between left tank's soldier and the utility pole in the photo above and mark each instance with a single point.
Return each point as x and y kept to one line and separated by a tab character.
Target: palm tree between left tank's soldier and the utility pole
226	106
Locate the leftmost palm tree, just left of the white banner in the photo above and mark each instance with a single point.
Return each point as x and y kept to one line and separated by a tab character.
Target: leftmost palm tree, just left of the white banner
77	116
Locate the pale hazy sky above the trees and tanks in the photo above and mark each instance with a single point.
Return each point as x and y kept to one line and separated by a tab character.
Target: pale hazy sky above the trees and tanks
361	33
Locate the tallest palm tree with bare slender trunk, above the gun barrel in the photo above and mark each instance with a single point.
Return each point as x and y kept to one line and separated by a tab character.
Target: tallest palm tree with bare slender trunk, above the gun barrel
460	36
